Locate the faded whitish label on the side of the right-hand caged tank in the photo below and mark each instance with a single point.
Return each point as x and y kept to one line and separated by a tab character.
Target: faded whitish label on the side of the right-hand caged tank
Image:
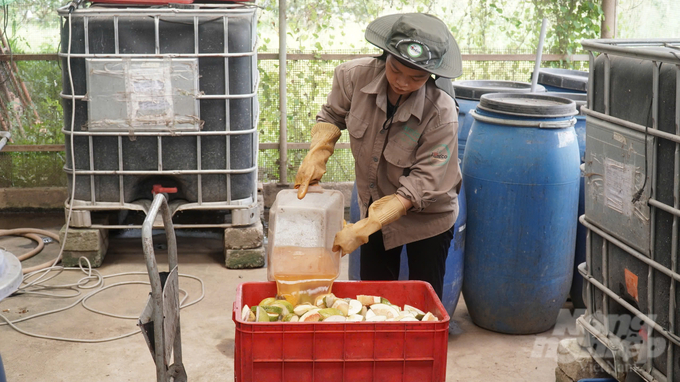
619	181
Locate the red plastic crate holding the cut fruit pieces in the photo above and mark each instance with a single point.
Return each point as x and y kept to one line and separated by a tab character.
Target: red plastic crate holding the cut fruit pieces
343	351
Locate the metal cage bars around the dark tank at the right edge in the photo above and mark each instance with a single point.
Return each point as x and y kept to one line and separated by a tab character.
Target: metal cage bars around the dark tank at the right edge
600	295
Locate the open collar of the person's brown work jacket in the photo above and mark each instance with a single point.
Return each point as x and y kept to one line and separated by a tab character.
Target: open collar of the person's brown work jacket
413	105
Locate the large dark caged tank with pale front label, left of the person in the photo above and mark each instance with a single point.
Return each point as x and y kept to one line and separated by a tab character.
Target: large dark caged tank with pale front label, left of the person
163	95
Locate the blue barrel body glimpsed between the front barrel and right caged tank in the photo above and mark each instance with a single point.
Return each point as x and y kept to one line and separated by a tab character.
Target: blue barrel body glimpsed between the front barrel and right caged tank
576	291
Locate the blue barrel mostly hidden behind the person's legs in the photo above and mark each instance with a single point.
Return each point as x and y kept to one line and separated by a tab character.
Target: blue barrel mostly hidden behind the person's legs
453	278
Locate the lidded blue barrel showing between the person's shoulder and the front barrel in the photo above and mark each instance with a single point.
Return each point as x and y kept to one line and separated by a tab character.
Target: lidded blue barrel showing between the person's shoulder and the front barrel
467	97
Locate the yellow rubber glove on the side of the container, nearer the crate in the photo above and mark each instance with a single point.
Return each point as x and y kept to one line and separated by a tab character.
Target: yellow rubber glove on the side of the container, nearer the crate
382	212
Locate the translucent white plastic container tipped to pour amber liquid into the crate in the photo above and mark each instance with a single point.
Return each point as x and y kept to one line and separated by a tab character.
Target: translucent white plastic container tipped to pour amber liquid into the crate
301	234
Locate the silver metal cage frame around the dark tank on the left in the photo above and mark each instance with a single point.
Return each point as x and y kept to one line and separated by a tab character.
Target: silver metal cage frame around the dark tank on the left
242	211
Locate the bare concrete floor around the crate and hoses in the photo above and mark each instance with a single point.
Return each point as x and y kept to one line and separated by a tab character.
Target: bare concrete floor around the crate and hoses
474	354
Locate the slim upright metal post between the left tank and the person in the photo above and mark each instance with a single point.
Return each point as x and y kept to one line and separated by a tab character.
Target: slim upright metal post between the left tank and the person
283	129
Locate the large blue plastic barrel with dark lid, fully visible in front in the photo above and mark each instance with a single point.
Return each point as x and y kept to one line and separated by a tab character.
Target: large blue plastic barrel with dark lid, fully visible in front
521	174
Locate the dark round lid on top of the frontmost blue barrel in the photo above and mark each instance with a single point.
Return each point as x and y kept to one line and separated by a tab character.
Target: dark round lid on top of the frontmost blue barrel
528	105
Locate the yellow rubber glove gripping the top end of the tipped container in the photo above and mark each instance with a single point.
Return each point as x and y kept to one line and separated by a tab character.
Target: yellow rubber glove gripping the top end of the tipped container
324	136
